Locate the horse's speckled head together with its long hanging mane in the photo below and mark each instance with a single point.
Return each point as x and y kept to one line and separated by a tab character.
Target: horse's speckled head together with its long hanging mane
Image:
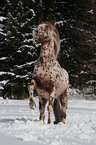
45	32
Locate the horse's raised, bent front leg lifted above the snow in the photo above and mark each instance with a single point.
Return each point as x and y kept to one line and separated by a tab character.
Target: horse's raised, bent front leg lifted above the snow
31	88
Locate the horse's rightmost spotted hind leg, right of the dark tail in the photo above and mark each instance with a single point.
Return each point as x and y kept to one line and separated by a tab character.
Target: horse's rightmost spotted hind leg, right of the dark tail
64	102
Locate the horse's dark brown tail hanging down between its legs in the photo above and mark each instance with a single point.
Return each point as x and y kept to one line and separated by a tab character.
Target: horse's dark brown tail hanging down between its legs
57	111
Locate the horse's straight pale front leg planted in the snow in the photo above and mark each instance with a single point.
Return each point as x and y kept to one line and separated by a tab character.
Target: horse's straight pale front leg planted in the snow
50	106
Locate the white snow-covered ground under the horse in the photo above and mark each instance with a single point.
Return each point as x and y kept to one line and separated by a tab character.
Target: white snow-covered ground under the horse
19	125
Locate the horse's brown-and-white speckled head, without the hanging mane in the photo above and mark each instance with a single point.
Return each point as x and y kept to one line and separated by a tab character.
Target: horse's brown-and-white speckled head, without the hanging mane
44	32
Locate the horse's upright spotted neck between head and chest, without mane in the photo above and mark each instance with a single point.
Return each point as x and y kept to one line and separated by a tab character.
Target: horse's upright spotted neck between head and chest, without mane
47	52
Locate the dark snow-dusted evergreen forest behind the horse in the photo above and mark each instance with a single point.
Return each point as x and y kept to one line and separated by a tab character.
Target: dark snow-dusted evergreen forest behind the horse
76	23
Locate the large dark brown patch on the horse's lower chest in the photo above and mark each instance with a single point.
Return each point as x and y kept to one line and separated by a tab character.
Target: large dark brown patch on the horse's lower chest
44	84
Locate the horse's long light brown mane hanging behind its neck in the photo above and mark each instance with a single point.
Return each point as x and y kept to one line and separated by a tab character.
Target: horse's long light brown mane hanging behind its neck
55	37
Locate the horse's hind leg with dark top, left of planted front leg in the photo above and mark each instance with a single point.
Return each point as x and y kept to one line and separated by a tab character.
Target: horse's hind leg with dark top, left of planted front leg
42	104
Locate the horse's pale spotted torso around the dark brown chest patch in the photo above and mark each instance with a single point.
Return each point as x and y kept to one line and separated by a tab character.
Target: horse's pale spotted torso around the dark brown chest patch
52	71
